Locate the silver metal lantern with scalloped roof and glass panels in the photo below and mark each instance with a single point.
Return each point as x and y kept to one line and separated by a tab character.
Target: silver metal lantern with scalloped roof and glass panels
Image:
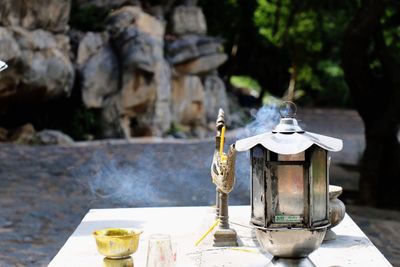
289	187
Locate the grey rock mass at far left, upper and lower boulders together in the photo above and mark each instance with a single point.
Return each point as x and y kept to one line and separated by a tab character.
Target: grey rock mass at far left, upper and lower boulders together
34	44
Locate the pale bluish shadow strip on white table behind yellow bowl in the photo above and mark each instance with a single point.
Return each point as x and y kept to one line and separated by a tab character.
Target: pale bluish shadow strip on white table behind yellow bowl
87	228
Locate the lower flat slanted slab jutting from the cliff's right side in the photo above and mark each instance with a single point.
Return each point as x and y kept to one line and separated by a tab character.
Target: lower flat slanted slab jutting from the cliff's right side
201	65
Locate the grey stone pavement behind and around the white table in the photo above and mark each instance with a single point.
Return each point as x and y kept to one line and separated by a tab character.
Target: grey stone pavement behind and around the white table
46	190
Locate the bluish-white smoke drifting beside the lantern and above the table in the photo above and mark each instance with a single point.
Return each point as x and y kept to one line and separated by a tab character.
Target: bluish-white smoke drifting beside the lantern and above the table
167	174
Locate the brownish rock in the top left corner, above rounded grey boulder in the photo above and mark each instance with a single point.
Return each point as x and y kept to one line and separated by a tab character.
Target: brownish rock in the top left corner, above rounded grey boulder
34	14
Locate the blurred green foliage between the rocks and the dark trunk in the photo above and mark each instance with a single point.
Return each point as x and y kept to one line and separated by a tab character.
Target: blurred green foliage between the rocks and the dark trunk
279	37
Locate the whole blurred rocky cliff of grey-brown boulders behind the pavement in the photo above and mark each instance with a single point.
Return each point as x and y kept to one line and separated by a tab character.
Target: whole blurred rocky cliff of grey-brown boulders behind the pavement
149	68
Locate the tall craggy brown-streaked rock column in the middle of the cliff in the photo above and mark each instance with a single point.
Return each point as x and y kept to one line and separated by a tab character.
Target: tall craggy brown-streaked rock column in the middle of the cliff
141	104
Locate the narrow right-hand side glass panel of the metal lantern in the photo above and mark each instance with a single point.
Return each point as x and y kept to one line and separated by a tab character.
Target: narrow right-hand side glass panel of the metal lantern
319	187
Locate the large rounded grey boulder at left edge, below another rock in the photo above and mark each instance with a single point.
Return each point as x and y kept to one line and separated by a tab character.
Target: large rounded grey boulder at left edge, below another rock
39	65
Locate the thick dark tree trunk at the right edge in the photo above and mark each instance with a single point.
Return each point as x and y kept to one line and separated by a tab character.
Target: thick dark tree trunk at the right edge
376	97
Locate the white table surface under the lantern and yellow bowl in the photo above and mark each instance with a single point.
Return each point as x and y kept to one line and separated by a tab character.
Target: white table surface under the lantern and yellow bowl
187	224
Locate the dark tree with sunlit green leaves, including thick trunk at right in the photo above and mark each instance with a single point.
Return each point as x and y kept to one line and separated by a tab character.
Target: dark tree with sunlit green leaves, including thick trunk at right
331	50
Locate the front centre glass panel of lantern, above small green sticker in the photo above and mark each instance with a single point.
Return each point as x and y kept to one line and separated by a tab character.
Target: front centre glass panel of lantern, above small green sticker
290	190
